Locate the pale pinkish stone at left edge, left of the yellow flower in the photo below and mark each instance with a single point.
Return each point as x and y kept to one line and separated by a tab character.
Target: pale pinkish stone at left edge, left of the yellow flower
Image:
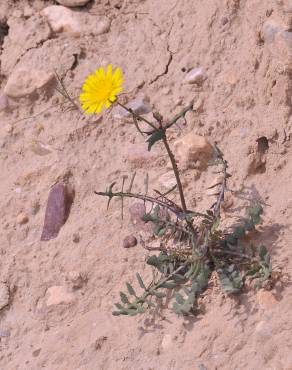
25	81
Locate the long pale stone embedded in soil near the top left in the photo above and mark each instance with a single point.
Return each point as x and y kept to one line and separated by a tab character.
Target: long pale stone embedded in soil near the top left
75	23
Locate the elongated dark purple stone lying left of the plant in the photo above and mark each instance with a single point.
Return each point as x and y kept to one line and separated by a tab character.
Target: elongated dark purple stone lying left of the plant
57	211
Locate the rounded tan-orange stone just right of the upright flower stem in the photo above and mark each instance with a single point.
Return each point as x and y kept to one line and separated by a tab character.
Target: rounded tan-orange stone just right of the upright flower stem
193	151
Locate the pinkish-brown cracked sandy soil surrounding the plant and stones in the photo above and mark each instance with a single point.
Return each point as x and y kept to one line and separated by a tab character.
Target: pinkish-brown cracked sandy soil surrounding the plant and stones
245	48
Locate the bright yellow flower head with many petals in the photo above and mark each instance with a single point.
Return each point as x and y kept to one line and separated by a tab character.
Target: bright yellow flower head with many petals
101	89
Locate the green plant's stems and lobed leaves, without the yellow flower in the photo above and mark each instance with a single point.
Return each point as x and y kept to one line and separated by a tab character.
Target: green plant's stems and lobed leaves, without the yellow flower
203	247
